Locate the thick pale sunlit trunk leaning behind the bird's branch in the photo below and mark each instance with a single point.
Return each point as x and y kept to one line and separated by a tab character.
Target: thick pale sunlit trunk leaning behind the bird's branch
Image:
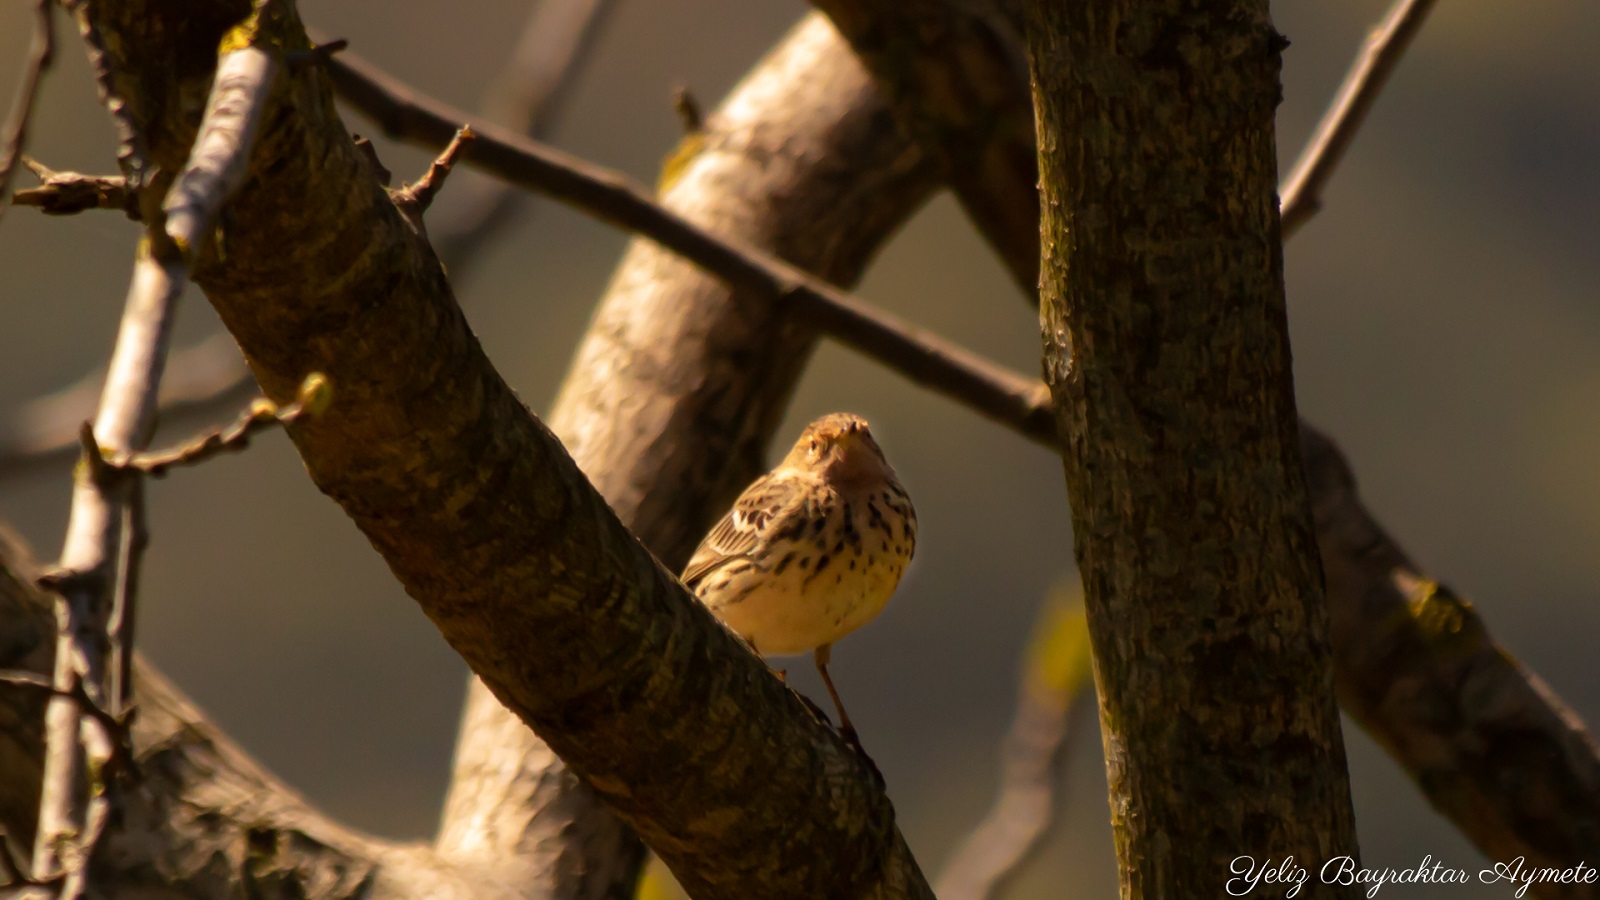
679	387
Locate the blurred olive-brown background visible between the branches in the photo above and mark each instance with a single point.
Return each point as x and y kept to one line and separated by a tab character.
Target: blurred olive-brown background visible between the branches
1446	332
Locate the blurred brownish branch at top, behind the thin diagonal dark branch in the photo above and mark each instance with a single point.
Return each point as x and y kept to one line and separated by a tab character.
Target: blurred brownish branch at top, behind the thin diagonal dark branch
527	98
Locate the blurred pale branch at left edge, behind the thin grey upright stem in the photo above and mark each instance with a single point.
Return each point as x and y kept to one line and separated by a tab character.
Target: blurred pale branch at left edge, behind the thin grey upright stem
199	379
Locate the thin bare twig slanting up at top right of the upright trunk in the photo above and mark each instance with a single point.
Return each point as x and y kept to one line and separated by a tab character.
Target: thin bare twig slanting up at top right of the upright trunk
1302	193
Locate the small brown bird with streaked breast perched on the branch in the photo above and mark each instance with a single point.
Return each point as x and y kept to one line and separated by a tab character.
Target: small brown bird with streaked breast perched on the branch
812	550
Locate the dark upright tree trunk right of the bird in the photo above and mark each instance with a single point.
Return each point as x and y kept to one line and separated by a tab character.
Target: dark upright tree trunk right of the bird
1167	355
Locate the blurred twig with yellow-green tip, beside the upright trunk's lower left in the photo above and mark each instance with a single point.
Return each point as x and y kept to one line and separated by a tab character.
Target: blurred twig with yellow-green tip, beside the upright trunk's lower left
1054	710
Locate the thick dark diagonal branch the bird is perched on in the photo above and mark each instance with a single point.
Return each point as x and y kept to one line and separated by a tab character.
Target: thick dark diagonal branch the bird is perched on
489	523
